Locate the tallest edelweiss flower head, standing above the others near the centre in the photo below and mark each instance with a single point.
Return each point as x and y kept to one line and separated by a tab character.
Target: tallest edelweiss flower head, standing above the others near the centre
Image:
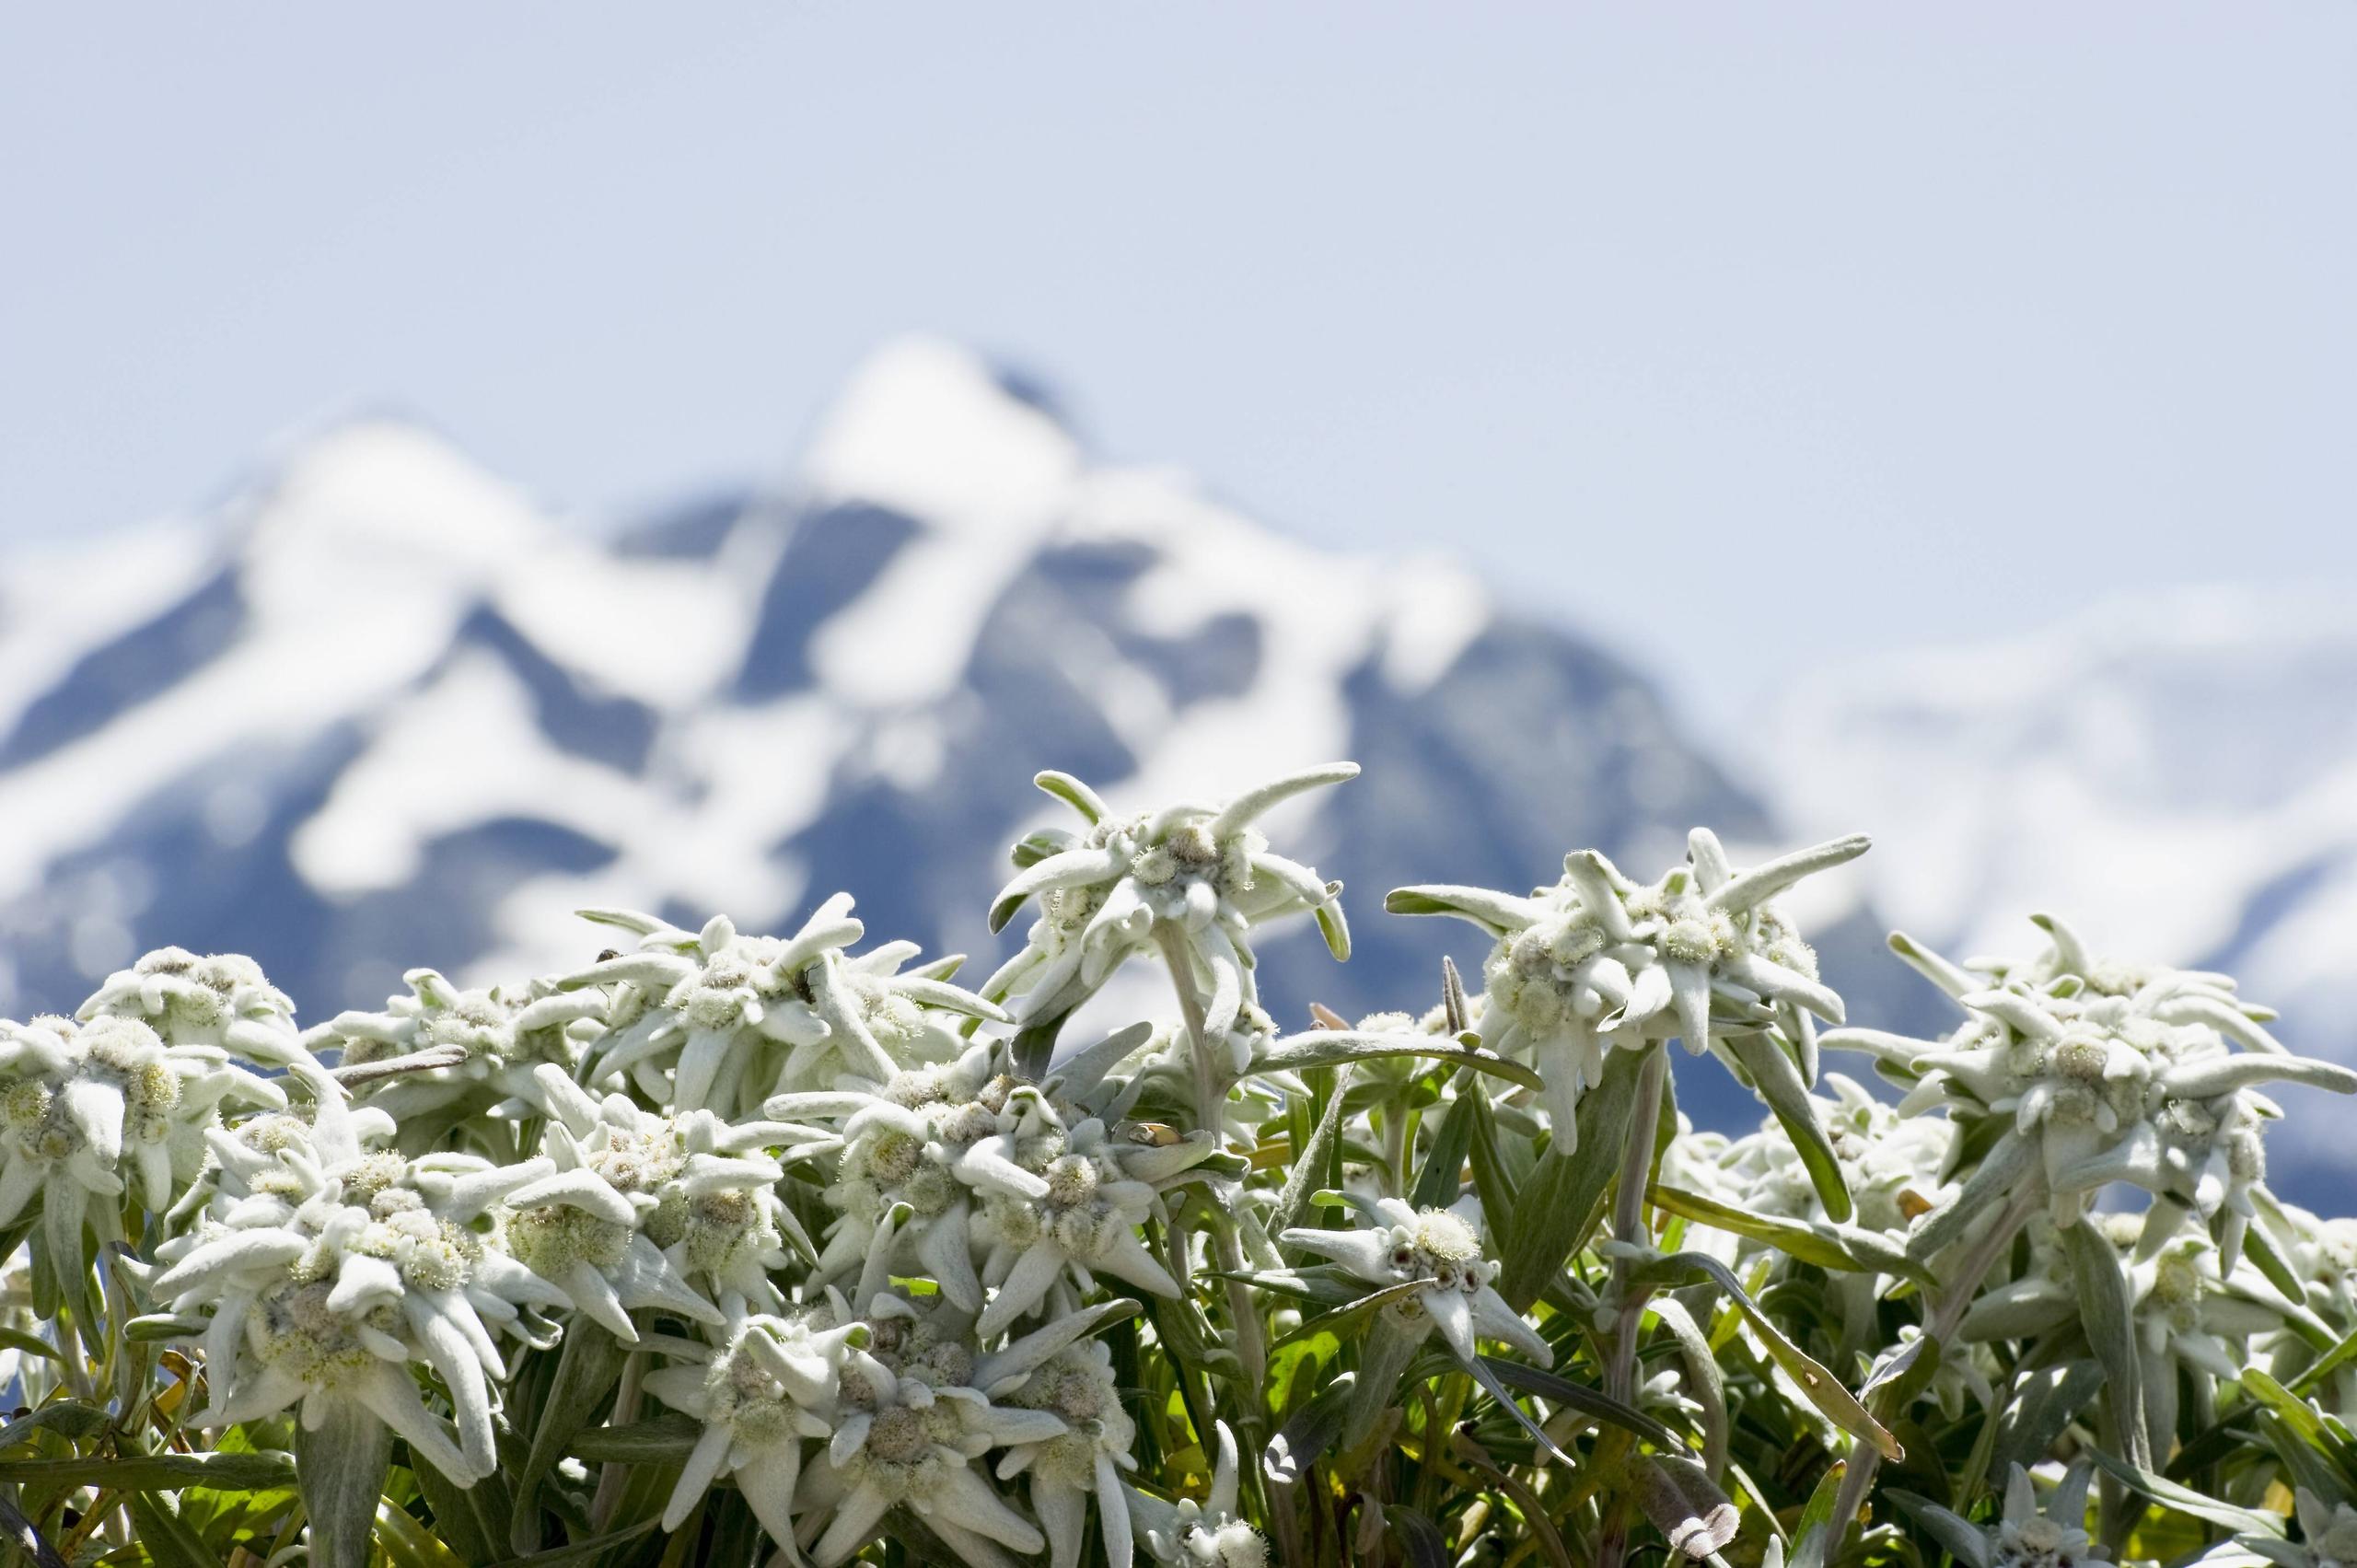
1196	871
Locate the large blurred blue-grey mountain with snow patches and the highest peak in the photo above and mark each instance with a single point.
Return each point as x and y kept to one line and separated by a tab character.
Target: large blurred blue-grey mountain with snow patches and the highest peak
383	711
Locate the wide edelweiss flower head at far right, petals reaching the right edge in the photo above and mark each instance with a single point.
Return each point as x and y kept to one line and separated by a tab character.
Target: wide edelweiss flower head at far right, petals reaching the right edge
2106	1072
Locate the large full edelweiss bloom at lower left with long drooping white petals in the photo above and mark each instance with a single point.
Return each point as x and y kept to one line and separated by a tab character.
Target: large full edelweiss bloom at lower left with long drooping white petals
341	1267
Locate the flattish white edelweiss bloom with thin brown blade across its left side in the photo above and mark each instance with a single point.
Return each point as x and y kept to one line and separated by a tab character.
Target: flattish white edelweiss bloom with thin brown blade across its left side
444	1055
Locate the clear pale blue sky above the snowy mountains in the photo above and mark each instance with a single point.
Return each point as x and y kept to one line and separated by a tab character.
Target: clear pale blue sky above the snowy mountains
1757	336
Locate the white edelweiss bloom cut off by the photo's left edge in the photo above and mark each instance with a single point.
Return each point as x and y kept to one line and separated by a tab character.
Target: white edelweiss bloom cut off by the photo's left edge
105	1109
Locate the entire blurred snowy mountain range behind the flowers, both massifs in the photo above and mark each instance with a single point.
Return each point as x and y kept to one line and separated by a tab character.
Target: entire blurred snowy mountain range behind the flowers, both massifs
378	711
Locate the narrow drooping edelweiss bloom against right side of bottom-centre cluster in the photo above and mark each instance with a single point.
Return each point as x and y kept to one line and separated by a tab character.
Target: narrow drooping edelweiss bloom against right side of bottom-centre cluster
1090	1456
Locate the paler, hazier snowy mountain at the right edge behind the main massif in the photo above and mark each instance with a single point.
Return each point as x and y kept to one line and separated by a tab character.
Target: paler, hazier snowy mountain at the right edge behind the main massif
2172	775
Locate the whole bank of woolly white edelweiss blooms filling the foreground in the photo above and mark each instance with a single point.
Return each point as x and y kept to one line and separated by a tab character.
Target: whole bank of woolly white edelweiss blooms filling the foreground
866	1230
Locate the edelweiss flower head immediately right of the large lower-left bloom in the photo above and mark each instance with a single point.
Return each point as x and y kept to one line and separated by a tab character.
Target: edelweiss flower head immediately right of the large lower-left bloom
645	1204
